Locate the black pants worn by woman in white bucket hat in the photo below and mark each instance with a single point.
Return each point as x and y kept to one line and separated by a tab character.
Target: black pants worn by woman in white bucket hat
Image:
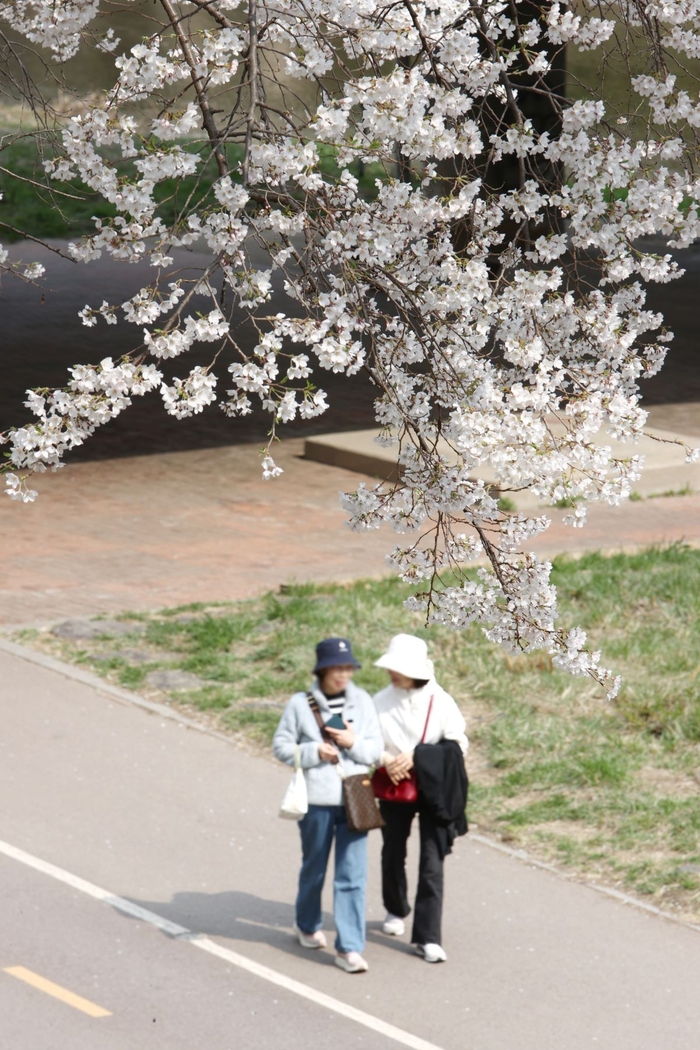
428	918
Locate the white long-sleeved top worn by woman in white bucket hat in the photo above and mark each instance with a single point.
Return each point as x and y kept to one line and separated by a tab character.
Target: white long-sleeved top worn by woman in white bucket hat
402	715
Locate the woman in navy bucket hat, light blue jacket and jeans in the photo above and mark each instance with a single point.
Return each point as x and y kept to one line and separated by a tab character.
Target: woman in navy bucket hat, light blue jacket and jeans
333	729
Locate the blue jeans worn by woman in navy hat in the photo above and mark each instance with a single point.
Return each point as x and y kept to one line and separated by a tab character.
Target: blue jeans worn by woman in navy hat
350	880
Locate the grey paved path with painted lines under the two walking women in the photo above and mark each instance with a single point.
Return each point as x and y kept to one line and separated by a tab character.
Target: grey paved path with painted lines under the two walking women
185	825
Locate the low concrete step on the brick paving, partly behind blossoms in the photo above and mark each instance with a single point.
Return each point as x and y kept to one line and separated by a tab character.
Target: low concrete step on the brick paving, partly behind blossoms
666	472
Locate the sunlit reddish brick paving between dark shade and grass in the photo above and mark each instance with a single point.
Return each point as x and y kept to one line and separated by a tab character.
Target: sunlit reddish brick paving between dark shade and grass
151	532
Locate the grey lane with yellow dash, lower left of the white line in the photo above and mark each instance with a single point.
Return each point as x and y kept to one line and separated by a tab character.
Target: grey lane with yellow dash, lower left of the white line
156	992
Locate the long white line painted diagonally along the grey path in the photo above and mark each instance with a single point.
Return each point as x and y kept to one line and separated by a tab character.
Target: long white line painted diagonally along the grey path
205	944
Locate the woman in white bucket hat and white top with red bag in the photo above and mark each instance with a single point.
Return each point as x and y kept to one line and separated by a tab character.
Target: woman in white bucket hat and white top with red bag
415	710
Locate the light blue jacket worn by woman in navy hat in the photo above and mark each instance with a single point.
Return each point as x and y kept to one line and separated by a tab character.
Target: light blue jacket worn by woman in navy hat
299	727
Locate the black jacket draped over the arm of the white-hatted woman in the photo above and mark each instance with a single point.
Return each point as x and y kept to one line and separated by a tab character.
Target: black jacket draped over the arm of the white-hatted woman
443	785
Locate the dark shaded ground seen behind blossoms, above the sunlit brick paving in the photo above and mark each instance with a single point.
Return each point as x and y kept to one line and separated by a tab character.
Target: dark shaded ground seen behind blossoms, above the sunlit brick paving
43	335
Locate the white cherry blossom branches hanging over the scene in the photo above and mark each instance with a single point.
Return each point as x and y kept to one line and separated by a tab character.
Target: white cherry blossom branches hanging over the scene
443	217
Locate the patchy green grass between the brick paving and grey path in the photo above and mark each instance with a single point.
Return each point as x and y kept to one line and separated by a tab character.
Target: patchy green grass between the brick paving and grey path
610	790
